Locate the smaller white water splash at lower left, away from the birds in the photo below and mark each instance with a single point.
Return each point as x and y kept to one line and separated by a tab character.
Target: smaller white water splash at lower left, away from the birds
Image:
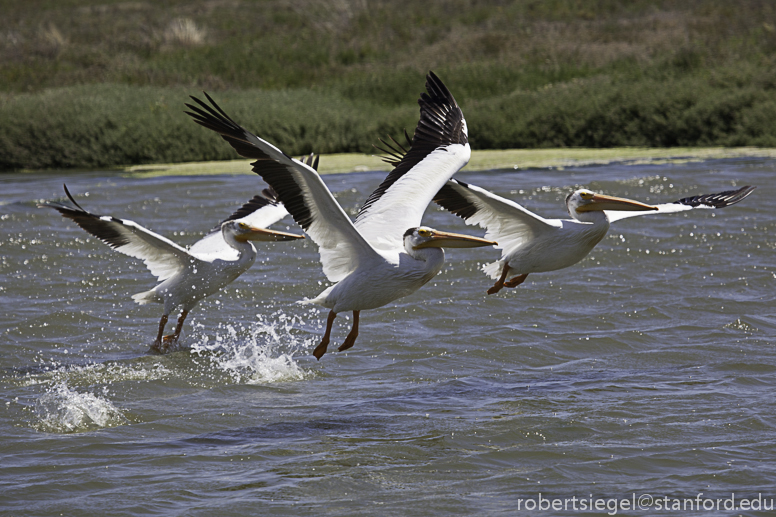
63	410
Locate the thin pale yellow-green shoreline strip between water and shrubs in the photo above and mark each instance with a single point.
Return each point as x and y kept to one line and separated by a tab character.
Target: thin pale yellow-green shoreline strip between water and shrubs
481	160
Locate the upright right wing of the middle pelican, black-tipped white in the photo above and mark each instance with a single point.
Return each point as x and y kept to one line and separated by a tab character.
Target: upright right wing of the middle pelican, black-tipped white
439	149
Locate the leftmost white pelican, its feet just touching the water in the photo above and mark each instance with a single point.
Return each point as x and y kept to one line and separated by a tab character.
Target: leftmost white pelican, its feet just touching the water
186	276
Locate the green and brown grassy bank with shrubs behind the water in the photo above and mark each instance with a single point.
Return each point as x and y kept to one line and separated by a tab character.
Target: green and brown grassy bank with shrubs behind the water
101	85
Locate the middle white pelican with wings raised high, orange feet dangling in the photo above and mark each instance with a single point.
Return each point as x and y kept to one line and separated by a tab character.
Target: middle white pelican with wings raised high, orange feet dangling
386	254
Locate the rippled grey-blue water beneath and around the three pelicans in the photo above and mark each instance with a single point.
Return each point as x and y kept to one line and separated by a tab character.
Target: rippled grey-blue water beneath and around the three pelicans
649	368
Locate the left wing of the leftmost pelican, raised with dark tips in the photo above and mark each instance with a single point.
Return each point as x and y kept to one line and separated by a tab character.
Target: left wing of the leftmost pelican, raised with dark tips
163	257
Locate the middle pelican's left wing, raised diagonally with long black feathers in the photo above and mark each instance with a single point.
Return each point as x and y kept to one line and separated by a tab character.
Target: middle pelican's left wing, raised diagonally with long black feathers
299	188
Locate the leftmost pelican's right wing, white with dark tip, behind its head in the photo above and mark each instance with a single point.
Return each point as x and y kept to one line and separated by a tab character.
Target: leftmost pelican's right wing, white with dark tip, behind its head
262	211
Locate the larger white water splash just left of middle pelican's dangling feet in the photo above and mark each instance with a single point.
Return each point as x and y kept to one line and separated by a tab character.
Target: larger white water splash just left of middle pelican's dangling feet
261	353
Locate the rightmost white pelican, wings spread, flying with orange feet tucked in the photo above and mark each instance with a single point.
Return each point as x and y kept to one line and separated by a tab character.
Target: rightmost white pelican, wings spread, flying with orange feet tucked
532	244
